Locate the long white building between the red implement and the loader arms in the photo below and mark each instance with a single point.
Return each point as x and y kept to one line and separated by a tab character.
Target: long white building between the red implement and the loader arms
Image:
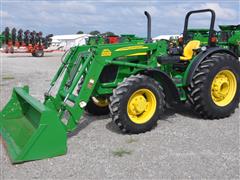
65	42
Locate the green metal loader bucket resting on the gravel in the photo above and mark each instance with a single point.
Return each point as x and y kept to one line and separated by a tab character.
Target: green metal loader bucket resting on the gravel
30	129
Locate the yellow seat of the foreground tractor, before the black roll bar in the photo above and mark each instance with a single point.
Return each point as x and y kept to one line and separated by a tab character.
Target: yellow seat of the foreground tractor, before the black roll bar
189	50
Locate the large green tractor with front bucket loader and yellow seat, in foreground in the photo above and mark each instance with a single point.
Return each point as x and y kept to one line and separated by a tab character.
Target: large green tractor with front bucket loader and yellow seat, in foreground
134	82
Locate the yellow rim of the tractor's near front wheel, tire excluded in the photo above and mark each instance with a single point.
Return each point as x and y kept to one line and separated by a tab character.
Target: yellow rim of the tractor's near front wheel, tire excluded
141	106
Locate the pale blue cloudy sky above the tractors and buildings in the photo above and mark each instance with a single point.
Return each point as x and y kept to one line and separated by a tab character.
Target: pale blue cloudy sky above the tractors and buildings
120	17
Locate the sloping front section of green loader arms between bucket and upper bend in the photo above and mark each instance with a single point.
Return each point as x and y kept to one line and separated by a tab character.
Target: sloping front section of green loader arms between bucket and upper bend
79	64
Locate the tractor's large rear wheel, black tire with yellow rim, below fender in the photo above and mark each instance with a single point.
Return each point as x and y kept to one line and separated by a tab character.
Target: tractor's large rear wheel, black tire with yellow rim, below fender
215	88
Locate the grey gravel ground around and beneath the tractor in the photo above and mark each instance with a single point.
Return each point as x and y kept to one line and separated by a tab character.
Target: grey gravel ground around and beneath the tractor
180	147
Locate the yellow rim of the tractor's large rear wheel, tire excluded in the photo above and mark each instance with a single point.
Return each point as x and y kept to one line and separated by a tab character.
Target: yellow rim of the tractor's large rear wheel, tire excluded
224	88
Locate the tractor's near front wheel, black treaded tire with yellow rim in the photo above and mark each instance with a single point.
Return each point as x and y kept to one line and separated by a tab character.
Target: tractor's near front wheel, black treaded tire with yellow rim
137	103
